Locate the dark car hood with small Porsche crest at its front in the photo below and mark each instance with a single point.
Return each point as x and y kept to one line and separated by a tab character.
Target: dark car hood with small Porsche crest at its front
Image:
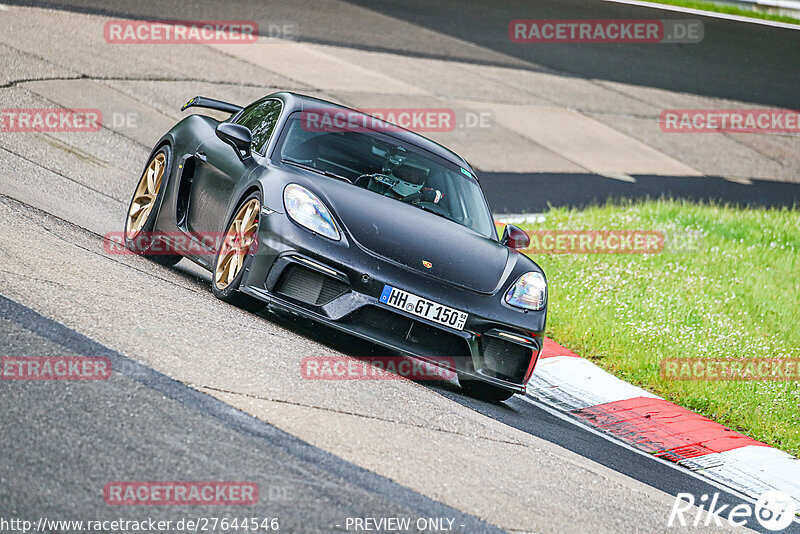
414	238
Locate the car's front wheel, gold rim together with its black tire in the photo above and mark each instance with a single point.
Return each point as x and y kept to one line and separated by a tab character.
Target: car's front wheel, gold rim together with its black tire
240	237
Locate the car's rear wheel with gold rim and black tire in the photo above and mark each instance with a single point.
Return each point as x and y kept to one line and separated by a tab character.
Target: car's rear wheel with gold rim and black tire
141	219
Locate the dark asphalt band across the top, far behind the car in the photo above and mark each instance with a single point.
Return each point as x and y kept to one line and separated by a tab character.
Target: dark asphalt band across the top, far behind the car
752	63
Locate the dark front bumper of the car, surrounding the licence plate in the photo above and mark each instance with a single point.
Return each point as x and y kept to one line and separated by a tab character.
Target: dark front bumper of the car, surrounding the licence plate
339	284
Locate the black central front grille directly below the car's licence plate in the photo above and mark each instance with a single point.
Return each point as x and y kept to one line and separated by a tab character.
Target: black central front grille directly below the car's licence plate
431	341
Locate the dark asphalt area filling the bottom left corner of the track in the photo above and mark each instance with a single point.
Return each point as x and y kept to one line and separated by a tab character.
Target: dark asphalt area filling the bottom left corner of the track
68	444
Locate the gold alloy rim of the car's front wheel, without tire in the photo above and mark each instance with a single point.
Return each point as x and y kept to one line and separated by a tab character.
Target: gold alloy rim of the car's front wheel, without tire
238	240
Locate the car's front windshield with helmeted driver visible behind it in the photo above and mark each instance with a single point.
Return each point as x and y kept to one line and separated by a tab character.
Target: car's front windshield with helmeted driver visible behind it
389	167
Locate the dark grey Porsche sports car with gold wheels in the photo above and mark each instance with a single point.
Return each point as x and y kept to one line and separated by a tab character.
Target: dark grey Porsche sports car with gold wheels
352	222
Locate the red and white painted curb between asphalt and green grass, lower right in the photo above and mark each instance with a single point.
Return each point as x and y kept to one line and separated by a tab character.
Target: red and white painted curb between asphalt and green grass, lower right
649	423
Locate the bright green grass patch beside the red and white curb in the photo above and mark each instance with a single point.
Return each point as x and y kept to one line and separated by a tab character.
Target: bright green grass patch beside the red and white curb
725	285
